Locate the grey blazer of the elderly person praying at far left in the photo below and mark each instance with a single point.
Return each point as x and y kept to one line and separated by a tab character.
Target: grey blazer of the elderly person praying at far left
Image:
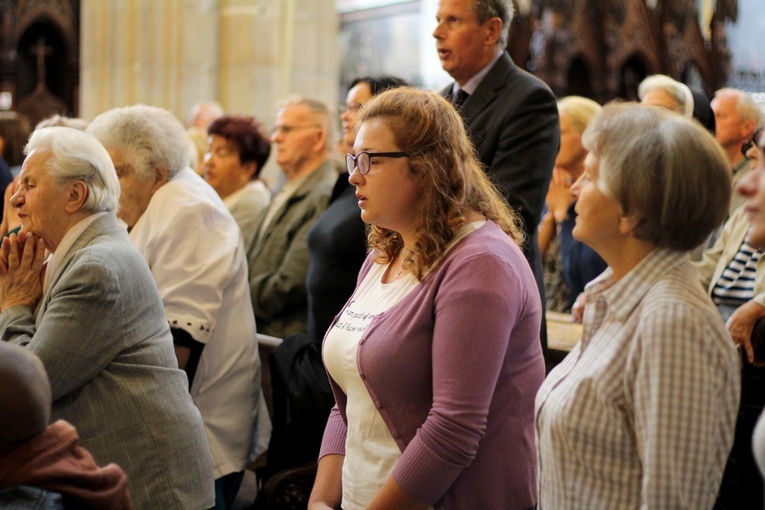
100	331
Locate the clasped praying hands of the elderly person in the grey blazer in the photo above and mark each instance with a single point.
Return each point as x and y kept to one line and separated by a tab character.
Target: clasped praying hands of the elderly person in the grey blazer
21	270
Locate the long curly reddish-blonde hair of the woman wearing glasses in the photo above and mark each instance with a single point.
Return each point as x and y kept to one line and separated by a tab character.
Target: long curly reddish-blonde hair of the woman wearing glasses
454	183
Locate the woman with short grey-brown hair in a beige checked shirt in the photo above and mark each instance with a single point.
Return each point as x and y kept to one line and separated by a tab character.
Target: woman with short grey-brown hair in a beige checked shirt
641	413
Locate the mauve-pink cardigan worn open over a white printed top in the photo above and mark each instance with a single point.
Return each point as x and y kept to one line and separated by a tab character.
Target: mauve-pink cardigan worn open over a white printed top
453	369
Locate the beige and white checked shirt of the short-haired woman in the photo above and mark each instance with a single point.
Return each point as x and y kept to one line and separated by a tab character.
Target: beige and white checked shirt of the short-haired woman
641	413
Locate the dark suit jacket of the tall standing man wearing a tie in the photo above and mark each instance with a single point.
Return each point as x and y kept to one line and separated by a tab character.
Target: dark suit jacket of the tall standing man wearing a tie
512	119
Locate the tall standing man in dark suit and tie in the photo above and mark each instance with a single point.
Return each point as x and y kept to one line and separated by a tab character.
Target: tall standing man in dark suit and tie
511	115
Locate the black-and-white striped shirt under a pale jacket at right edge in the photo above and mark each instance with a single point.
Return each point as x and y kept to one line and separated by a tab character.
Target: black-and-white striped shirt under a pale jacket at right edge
736	284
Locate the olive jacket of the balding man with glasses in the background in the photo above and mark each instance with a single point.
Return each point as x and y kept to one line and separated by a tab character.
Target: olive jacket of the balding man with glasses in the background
279	260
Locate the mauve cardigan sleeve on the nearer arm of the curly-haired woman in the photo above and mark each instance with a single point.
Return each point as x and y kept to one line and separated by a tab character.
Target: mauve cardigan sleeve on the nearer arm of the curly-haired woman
478	309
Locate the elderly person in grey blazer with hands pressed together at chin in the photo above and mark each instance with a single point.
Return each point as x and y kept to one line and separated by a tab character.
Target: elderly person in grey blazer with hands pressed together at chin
93	315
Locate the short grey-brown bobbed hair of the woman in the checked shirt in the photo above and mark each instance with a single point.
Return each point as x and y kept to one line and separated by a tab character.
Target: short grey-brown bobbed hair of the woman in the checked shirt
666	171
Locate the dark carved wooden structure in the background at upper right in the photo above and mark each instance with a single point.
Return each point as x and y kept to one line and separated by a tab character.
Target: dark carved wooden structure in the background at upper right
602	49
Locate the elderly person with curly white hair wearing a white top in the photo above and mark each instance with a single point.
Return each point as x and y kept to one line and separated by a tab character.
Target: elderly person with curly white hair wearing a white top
196	254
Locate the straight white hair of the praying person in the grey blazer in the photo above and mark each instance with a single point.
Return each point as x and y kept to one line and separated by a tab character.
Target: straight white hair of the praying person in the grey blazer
75	156
